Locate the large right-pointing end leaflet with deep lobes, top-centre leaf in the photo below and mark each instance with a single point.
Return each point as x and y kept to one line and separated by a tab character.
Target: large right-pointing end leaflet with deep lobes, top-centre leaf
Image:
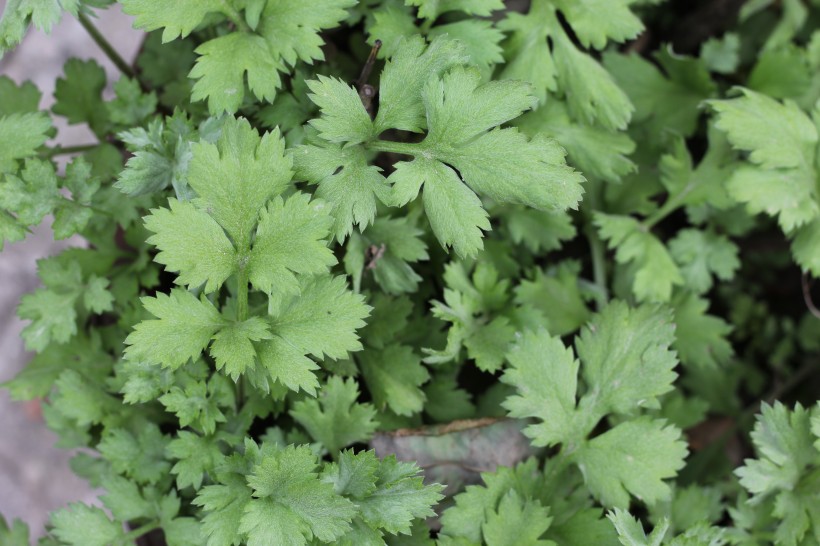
501	164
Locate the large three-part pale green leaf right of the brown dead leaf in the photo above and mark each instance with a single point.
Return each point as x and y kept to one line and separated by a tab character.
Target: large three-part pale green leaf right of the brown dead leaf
626	364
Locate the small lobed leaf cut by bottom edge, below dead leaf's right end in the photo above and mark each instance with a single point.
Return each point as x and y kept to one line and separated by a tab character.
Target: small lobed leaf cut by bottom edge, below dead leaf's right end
517	522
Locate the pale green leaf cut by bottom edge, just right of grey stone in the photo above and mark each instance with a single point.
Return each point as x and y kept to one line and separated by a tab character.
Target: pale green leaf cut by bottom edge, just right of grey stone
83	525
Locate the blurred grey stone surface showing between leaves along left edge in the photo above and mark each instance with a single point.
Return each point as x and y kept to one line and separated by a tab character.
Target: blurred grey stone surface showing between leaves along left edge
34	475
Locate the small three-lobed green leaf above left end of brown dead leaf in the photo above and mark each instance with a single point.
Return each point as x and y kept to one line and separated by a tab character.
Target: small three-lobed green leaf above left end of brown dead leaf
335	418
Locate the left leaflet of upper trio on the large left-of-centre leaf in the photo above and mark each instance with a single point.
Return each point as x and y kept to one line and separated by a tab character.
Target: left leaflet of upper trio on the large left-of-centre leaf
191	244
